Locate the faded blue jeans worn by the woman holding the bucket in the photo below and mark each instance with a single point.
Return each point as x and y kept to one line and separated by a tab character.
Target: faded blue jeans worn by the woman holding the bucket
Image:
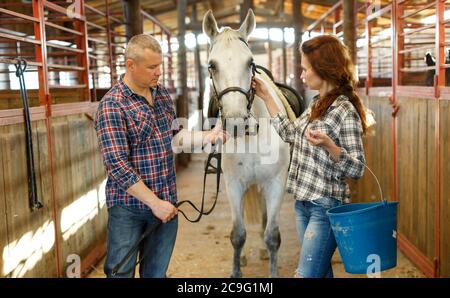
316	237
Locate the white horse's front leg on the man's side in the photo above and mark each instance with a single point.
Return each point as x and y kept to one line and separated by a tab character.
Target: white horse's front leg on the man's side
235	192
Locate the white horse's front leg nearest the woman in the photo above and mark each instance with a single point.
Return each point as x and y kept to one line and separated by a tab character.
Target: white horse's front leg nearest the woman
273	193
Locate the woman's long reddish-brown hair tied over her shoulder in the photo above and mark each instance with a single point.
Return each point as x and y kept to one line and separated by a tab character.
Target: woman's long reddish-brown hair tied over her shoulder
330	60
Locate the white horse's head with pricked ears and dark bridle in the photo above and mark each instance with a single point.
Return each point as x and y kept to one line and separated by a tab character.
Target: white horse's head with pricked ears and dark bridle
231	66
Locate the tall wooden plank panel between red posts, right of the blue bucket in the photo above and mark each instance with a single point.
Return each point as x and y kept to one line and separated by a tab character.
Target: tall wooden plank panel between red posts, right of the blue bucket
416	172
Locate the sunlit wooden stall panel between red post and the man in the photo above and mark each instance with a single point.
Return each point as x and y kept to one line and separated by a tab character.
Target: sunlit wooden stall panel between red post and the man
79	185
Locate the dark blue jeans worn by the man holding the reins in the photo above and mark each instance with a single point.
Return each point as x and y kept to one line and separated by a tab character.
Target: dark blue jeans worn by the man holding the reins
125	227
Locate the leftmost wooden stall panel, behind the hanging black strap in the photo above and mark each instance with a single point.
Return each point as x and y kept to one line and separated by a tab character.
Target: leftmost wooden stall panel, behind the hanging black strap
27	237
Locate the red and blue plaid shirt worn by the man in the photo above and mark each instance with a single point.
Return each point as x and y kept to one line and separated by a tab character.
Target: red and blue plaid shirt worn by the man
136	143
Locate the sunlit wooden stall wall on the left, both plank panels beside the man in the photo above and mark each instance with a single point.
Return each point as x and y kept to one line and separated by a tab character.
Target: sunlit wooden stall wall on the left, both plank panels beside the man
28	239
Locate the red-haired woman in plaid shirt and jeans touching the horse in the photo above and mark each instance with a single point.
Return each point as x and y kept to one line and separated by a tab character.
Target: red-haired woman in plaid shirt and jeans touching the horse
327	141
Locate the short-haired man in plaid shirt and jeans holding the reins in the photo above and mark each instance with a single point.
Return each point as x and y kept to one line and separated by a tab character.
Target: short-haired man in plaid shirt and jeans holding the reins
134	129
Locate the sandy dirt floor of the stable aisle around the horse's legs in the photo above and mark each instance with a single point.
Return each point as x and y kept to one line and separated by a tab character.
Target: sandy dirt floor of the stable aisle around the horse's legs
204	249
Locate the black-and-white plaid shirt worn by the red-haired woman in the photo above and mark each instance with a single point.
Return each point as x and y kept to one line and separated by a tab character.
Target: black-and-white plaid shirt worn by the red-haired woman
312	173
